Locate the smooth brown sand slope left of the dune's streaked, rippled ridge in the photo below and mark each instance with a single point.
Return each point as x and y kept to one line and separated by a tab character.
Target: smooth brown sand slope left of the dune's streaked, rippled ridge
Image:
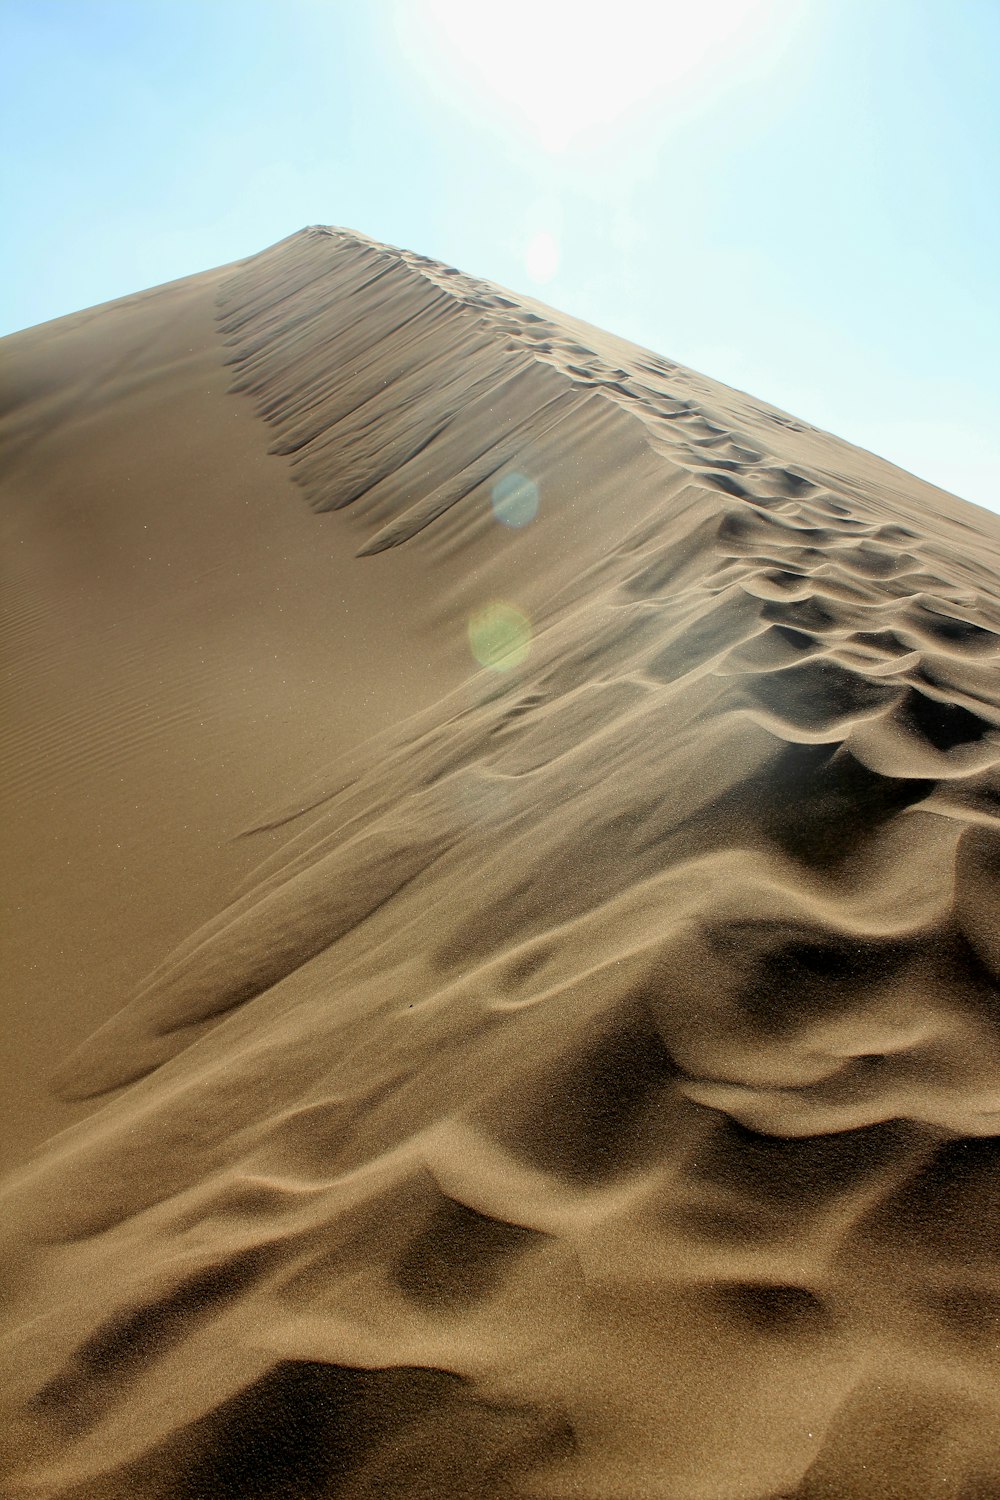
182	644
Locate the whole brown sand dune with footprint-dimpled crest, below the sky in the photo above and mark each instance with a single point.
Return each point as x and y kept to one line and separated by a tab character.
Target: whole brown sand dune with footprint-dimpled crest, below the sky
588	1087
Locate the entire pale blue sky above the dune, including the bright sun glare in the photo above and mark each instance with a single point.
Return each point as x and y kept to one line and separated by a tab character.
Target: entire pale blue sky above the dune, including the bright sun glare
795	197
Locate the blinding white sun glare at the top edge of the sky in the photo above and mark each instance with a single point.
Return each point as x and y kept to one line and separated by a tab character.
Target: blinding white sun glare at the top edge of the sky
563	76
